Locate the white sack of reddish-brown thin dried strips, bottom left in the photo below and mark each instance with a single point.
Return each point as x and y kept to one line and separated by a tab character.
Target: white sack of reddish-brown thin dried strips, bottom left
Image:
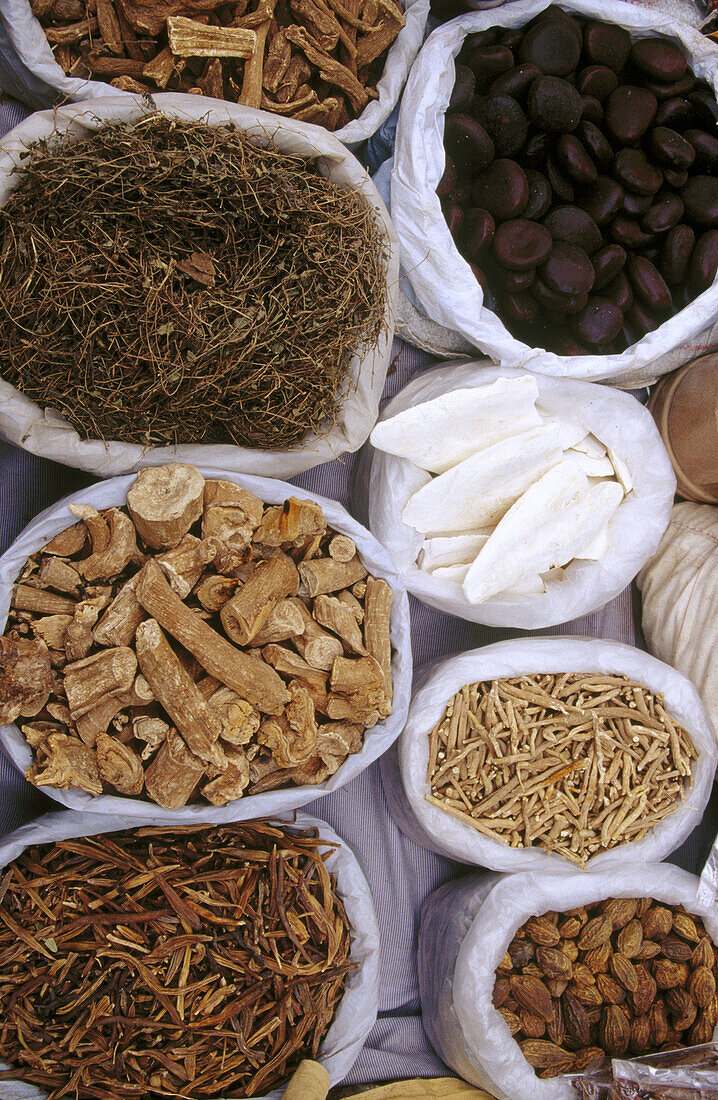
204	984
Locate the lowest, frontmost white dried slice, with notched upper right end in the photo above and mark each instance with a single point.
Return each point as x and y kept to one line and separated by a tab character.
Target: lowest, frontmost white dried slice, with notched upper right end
555	520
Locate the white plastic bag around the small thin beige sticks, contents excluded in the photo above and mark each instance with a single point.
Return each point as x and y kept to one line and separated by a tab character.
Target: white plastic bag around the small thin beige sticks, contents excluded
405	768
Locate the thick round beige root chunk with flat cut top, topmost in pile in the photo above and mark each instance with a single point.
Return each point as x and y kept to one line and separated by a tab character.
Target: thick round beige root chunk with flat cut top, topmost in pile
164	503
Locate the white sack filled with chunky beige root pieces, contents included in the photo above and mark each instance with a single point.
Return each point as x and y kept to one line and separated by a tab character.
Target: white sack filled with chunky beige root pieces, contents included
231	667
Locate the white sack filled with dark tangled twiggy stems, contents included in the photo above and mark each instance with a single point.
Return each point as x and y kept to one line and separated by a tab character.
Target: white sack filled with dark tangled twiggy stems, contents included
208	284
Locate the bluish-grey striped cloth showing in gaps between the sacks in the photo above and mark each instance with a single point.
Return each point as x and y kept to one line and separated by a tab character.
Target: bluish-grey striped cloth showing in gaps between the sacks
400	872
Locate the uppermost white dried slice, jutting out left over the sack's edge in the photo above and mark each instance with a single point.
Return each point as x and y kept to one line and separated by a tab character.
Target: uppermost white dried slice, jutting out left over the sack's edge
440	434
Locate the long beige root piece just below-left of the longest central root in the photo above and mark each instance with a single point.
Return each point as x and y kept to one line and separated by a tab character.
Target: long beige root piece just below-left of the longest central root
178	694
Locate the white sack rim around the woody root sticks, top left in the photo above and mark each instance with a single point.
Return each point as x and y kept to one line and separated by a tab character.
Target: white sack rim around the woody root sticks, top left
36	78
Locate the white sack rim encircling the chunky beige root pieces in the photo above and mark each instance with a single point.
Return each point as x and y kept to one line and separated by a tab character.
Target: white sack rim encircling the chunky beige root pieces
377	740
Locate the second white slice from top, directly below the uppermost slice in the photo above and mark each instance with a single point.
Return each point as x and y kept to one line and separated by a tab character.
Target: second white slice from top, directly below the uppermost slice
481	490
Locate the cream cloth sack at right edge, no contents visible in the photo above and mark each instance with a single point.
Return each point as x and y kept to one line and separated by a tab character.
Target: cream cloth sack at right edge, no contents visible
680	588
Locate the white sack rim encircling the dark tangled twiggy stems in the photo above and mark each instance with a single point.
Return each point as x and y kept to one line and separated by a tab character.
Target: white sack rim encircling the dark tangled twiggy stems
49	434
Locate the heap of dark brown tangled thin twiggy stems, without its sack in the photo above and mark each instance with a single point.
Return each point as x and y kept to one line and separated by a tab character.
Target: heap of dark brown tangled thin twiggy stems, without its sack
169	282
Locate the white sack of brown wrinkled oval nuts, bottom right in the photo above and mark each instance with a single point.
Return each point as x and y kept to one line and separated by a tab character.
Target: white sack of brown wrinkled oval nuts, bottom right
638	960
